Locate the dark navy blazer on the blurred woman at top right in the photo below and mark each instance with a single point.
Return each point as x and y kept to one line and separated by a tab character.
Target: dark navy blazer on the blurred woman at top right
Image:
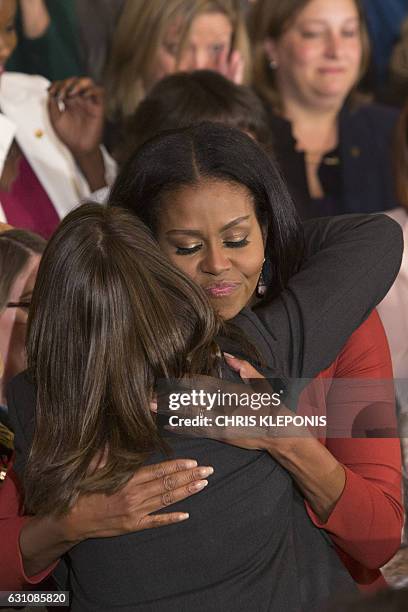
357	176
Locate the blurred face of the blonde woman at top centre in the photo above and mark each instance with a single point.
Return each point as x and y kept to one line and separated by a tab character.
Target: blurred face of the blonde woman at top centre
209	39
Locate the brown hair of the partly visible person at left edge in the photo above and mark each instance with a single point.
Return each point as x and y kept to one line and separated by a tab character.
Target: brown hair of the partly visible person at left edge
16	247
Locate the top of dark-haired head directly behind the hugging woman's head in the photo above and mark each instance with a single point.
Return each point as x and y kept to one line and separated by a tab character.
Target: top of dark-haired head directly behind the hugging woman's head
189	98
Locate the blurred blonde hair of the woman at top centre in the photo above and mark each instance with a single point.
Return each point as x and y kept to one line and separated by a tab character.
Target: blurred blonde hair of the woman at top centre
138	38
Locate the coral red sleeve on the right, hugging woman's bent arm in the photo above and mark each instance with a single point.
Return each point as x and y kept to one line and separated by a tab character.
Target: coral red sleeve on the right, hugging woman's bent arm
367	520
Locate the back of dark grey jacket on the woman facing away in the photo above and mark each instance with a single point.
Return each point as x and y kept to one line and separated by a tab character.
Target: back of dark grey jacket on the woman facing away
248	545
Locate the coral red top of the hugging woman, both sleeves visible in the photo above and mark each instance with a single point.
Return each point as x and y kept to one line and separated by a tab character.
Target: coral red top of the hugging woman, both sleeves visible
366	522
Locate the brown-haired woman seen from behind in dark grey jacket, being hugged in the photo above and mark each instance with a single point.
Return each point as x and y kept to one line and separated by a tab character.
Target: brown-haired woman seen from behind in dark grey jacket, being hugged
135	319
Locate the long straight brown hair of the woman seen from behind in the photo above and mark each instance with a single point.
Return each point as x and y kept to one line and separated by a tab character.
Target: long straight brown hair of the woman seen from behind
110	315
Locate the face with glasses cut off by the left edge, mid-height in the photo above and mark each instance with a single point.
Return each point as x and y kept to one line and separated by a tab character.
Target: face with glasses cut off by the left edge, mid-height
13	321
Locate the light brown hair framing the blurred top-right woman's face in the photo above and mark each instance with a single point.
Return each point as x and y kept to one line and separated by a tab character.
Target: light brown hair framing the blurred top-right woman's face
270	19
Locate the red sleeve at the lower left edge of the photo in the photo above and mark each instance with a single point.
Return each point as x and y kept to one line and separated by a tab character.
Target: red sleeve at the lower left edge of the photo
12	576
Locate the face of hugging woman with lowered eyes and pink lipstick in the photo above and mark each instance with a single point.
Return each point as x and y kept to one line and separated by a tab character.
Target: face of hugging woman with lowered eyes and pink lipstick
210	231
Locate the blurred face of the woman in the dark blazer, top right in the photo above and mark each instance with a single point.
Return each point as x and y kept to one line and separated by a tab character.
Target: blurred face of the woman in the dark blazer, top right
319	56
